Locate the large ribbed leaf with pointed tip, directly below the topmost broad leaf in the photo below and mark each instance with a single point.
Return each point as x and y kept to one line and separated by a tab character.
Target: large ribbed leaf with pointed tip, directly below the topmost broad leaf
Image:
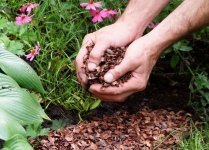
21	106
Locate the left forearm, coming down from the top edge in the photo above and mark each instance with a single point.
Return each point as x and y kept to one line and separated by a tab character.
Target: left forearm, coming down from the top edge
139	13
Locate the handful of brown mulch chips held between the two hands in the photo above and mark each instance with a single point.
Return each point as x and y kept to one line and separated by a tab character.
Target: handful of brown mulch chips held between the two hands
111	58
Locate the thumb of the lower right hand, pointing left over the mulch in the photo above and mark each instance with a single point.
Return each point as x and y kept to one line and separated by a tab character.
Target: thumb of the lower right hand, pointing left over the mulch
125	66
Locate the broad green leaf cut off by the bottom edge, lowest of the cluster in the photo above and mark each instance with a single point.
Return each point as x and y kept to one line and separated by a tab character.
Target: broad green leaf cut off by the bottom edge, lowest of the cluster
17	142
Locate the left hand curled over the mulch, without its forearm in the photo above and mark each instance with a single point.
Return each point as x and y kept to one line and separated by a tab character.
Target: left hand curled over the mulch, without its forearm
116	35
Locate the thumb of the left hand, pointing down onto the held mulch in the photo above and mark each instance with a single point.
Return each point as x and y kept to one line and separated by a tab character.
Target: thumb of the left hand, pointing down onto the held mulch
96	54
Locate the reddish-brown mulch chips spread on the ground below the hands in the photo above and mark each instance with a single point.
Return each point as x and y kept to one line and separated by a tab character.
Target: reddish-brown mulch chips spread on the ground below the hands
144	130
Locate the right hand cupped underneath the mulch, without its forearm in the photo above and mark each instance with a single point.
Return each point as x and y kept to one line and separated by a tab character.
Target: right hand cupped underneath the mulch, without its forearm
140	58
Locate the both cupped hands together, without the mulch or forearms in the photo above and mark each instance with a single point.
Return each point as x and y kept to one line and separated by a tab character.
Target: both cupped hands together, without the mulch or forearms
139	59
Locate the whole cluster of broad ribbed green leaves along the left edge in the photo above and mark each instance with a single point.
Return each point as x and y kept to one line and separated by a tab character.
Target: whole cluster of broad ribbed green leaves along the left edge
18	107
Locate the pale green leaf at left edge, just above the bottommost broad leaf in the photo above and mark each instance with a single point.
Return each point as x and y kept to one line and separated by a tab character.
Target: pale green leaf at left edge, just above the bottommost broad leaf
9	127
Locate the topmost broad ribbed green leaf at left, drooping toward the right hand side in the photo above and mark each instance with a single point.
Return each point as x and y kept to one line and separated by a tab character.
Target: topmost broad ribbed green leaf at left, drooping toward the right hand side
20	71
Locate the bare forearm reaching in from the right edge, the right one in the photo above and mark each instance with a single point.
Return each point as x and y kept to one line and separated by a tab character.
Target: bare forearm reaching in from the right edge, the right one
188	17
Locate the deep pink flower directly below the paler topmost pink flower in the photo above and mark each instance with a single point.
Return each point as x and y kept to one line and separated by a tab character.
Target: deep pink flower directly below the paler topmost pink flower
98	16
